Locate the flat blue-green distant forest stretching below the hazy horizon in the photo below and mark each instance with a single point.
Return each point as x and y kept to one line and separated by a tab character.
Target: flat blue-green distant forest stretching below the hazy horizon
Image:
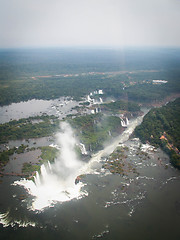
19	66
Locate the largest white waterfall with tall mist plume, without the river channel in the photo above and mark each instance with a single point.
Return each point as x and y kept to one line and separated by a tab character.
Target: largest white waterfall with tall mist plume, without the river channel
56	182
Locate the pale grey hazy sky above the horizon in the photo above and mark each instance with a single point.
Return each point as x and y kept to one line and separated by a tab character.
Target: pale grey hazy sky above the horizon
89	23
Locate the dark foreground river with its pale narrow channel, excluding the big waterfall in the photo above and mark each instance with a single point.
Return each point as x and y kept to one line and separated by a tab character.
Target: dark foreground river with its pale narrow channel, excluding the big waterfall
141	205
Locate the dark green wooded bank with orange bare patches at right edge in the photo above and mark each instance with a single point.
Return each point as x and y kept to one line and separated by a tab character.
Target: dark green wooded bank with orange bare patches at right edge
163	123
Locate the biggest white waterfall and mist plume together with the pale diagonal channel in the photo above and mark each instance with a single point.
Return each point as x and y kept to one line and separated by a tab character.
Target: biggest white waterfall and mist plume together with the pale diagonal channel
56	181
